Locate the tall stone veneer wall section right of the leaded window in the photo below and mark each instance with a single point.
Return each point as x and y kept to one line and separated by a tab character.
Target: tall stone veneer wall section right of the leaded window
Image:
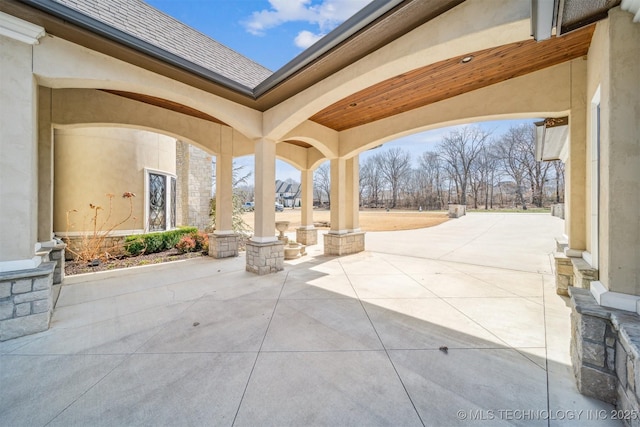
194	185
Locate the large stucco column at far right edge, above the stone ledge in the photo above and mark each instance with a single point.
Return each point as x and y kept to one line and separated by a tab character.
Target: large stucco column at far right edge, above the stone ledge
620	157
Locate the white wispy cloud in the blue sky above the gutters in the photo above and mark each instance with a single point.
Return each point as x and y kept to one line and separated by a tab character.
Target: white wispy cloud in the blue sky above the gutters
326	15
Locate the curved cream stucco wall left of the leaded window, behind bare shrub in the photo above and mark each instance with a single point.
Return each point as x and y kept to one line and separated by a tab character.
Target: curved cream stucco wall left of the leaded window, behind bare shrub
92	162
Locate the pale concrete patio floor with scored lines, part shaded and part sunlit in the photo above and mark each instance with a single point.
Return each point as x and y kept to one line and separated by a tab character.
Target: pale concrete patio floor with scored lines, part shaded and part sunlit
334	341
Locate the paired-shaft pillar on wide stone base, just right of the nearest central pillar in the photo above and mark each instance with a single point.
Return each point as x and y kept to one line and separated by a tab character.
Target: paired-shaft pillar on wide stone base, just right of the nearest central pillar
342	239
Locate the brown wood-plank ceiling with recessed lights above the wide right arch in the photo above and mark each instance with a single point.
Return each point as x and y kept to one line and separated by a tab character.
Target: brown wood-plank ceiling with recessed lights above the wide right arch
452	77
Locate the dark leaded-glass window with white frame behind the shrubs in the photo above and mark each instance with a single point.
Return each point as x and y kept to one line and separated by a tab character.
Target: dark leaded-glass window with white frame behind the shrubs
160	201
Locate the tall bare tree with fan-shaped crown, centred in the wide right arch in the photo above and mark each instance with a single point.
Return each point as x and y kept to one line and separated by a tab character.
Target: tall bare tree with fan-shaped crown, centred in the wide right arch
459	150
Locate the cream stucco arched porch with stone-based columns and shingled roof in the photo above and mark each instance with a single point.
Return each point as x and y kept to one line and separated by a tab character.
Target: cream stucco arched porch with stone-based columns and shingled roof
394	69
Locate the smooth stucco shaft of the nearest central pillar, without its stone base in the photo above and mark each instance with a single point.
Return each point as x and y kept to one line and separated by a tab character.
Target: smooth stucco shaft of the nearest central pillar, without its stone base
265	215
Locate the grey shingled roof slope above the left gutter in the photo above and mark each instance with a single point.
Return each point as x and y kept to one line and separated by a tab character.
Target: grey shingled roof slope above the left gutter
152	26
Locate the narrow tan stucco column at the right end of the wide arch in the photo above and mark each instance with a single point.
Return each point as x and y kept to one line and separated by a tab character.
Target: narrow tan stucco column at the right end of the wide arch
576	166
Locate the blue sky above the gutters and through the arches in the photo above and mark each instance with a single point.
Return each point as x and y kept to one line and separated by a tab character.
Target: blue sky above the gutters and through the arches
273	32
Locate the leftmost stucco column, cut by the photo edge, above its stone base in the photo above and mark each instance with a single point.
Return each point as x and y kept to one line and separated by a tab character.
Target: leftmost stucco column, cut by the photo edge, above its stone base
18	157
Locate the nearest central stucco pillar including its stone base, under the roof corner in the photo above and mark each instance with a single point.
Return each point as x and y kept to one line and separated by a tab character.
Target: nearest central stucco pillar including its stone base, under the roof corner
265	253
